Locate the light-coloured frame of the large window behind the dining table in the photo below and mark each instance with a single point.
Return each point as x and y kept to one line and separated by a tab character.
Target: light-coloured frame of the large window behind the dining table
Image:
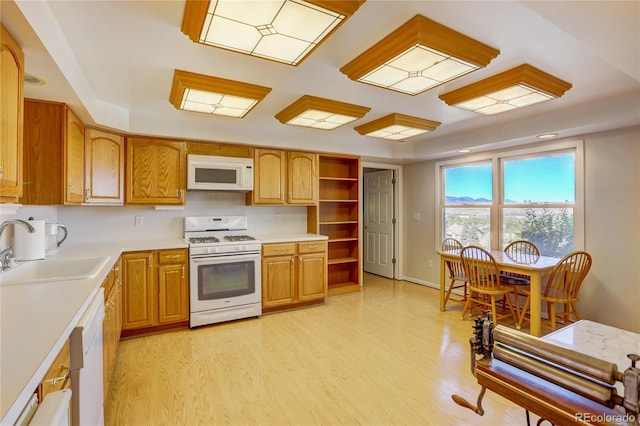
497	158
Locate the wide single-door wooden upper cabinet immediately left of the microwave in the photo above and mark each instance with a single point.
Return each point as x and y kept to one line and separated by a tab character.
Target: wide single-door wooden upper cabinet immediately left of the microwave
156	171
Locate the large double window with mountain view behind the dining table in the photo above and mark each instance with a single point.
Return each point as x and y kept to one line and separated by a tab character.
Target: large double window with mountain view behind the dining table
533	194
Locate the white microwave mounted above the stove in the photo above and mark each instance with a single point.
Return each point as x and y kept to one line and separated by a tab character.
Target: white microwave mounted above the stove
216	173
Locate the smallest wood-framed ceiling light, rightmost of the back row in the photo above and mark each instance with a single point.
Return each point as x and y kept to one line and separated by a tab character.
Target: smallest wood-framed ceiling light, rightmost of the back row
396	127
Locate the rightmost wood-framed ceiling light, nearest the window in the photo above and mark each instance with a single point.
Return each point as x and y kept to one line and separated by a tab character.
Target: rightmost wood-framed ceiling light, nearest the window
518	87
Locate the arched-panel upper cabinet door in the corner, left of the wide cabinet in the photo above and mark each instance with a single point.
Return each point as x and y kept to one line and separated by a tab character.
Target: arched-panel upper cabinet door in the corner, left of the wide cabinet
104	167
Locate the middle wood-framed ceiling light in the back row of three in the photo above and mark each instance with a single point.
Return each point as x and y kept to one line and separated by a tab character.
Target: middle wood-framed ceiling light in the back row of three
319	113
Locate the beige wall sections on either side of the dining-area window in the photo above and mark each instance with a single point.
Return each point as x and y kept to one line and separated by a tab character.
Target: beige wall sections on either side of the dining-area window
611	291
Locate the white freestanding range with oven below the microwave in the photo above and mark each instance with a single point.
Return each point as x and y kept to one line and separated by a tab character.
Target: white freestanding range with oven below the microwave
224	269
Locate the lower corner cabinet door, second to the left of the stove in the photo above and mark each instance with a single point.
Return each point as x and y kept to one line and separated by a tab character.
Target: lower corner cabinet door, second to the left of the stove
139	295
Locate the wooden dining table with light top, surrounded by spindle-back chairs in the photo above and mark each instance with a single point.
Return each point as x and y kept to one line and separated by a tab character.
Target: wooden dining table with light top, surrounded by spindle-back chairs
534	267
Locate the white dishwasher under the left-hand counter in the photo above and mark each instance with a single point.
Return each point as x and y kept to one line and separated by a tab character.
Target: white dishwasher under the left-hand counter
86	366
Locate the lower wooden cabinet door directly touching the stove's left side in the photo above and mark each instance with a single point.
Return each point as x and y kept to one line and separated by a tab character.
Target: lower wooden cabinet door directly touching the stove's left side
173	293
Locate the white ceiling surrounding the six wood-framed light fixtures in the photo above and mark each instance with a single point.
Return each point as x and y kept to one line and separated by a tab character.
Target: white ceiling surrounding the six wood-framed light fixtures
113	63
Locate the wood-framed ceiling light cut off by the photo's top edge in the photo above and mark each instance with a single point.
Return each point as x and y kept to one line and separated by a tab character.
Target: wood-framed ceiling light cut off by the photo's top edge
285	31
